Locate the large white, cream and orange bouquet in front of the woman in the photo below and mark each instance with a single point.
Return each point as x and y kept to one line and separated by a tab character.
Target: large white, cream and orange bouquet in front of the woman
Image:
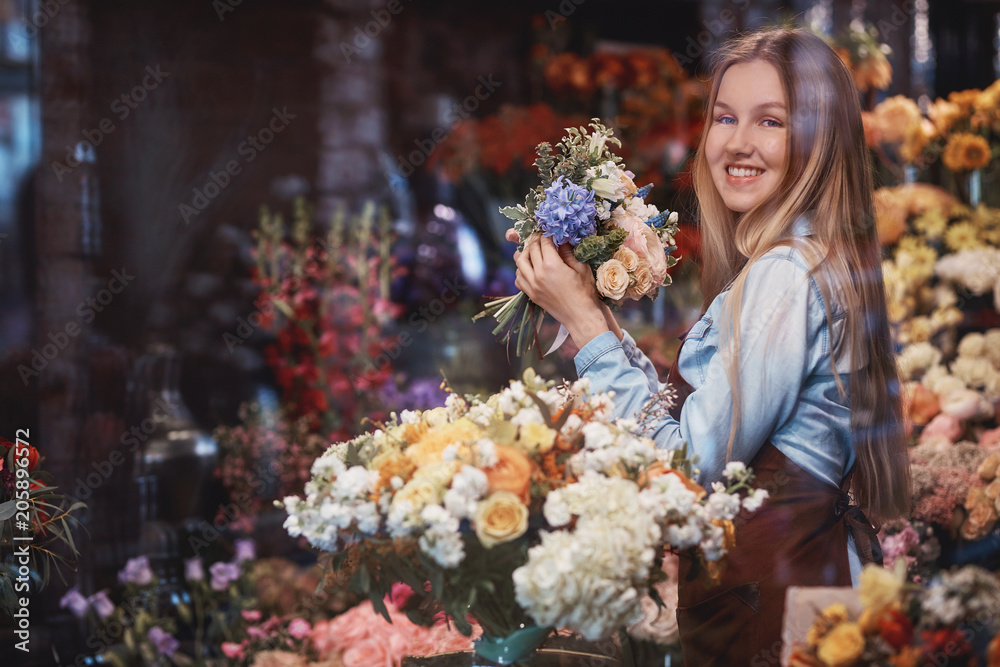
526	511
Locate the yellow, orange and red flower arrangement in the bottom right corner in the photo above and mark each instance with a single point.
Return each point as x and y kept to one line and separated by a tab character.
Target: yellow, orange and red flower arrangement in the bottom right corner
951	621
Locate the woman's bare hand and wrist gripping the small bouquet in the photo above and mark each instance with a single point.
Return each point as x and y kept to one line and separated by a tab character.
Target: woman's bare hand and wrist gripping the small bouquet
562	286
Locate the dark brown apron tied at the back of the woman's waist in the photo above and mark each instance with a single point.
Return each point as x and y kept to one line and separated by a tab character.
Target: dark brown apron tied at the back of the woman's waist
797	538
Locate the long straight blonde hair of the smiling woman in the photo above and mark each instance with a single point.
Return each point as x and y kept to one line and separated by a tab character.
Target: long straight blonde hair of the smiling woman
828	176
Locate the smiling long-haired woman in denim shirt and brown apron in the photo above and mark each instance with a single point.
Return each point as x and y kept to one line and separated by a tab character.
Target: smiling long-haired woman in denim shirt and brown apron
790	369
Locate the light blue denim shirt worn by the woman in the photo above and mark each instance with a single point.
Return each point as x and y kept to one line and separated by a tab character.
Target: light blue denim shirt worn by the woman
788	391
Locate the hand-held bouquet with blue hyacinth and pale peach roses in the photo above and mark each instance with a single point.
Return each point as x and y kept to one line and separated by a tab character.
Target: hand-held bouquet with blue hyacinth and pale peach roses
588	200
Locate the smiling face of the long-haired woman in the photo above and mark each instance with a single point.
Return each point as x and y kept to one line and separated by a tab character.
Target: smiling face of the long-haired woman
748	135
